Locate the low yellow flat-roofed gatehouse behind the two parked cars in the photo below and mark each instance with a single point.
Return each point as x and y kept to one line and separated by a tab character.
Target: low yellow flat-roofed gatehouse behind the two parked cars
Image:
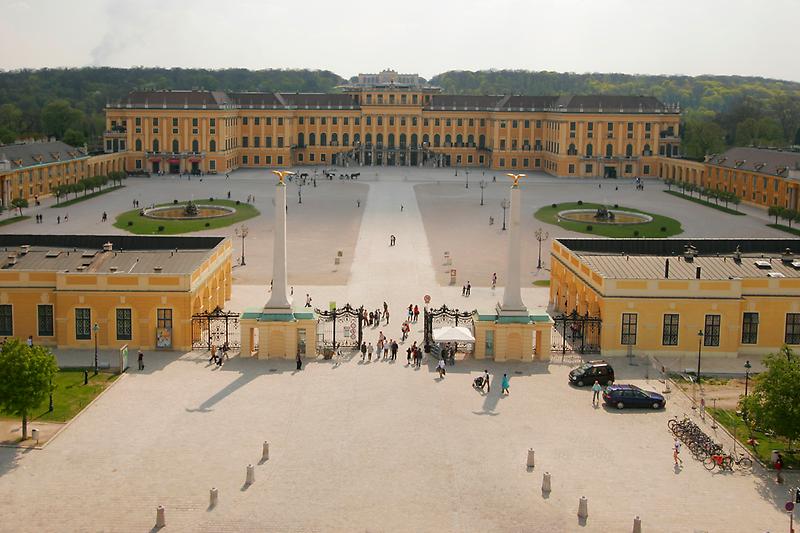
672	296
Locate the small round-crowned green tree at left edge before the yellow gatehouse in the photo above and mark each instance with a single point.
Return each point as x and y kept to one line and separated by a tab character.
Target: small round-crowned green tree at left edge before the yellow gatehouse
26	377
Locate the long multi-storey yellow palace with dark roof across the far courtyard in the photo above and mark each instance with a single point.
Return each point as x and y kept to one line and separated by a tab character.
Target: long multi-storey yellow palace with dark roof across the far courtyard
392	124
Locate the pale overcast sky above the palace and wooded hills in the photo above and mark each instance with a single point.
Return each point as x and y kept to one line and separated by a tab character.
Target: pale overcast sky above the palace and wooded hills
745	37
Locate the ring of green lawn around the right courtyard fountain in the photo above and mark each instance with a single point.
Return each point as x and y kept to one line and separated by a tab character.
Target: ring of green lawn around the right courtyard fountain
660	226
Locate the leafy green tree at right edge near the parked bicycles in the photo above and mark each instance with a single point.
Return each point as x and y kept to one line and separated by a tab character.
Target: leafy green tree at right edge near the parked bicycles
774	403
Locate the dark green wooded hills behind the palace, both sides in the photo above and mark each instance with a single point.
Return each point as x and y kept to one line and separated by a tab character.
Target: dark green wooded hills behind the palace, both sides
719	111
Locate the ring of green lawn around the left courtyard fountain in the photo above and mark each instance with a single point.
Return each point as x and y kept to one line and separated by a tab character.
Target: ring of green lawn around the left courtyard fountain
133	222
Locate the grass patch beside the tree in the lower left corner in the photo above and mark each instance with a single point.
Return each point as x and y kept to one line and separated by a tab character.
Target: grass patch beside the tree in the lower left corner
70	395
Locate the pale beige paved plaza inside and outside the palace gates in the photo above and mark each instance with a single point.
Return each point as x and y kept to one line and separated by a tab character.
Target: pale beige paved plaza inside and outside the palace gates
378	446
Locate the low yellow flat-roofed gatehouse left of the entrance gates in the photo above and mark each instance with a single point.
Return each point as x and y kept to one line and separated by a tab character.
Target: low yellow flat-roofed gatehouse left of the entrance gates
71	291
